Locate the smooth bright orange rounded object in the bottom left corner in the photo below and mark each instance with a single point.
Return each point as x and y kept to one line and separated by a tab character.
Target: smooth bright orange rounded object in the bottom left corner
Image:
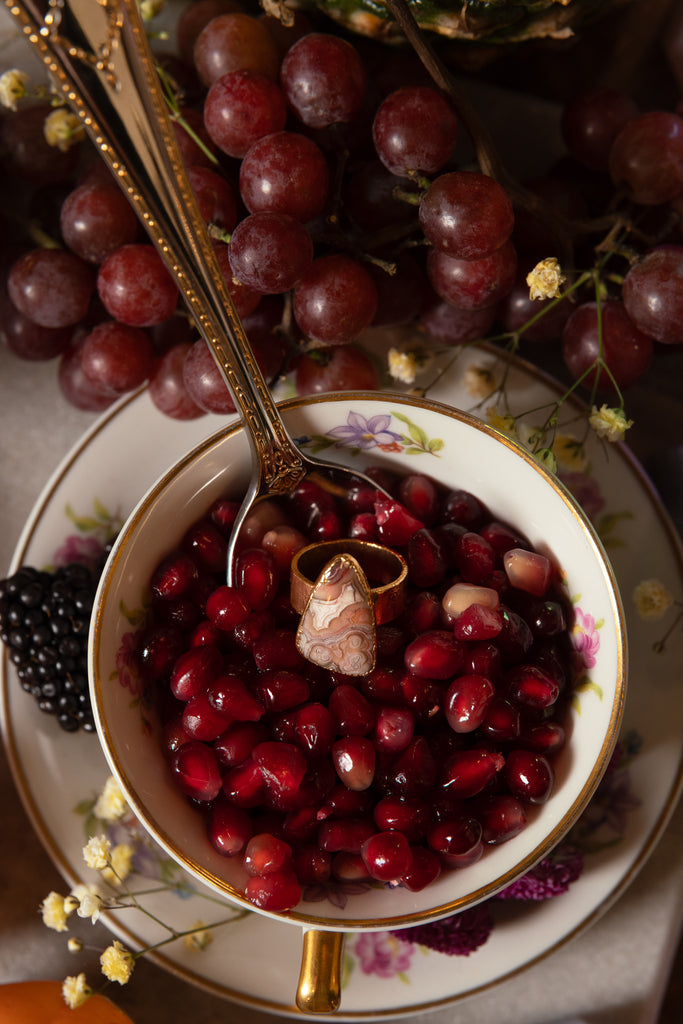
42	1003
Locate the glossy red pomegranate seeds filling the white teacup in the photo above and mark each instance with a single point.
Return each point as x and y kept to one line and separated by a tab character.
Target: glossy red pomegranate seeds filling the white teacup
315	779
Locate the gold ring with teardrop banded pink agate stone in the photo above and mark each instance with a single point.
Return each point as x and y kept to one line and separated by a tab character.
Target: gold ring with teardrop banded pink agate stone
344	590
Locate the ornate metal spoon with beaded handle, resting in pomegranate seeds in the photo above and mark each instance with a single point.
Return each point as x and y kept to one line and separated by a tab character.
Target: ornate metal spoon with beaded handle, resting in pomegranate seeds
98	55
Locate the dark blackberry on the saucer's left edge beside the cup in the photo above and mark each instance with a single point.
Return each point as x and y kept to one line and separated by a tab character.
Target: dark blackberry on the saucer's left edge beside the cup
45	621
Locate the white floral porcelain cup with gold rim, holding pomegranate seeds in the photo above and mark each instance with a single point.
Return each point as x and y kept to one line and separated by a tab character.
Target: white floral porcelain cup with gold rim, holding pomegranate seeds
473	456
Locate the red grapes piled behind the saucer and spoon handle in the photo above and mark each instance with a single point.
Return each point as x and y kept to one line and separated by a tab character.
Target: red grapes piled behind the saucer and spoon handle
325	169
